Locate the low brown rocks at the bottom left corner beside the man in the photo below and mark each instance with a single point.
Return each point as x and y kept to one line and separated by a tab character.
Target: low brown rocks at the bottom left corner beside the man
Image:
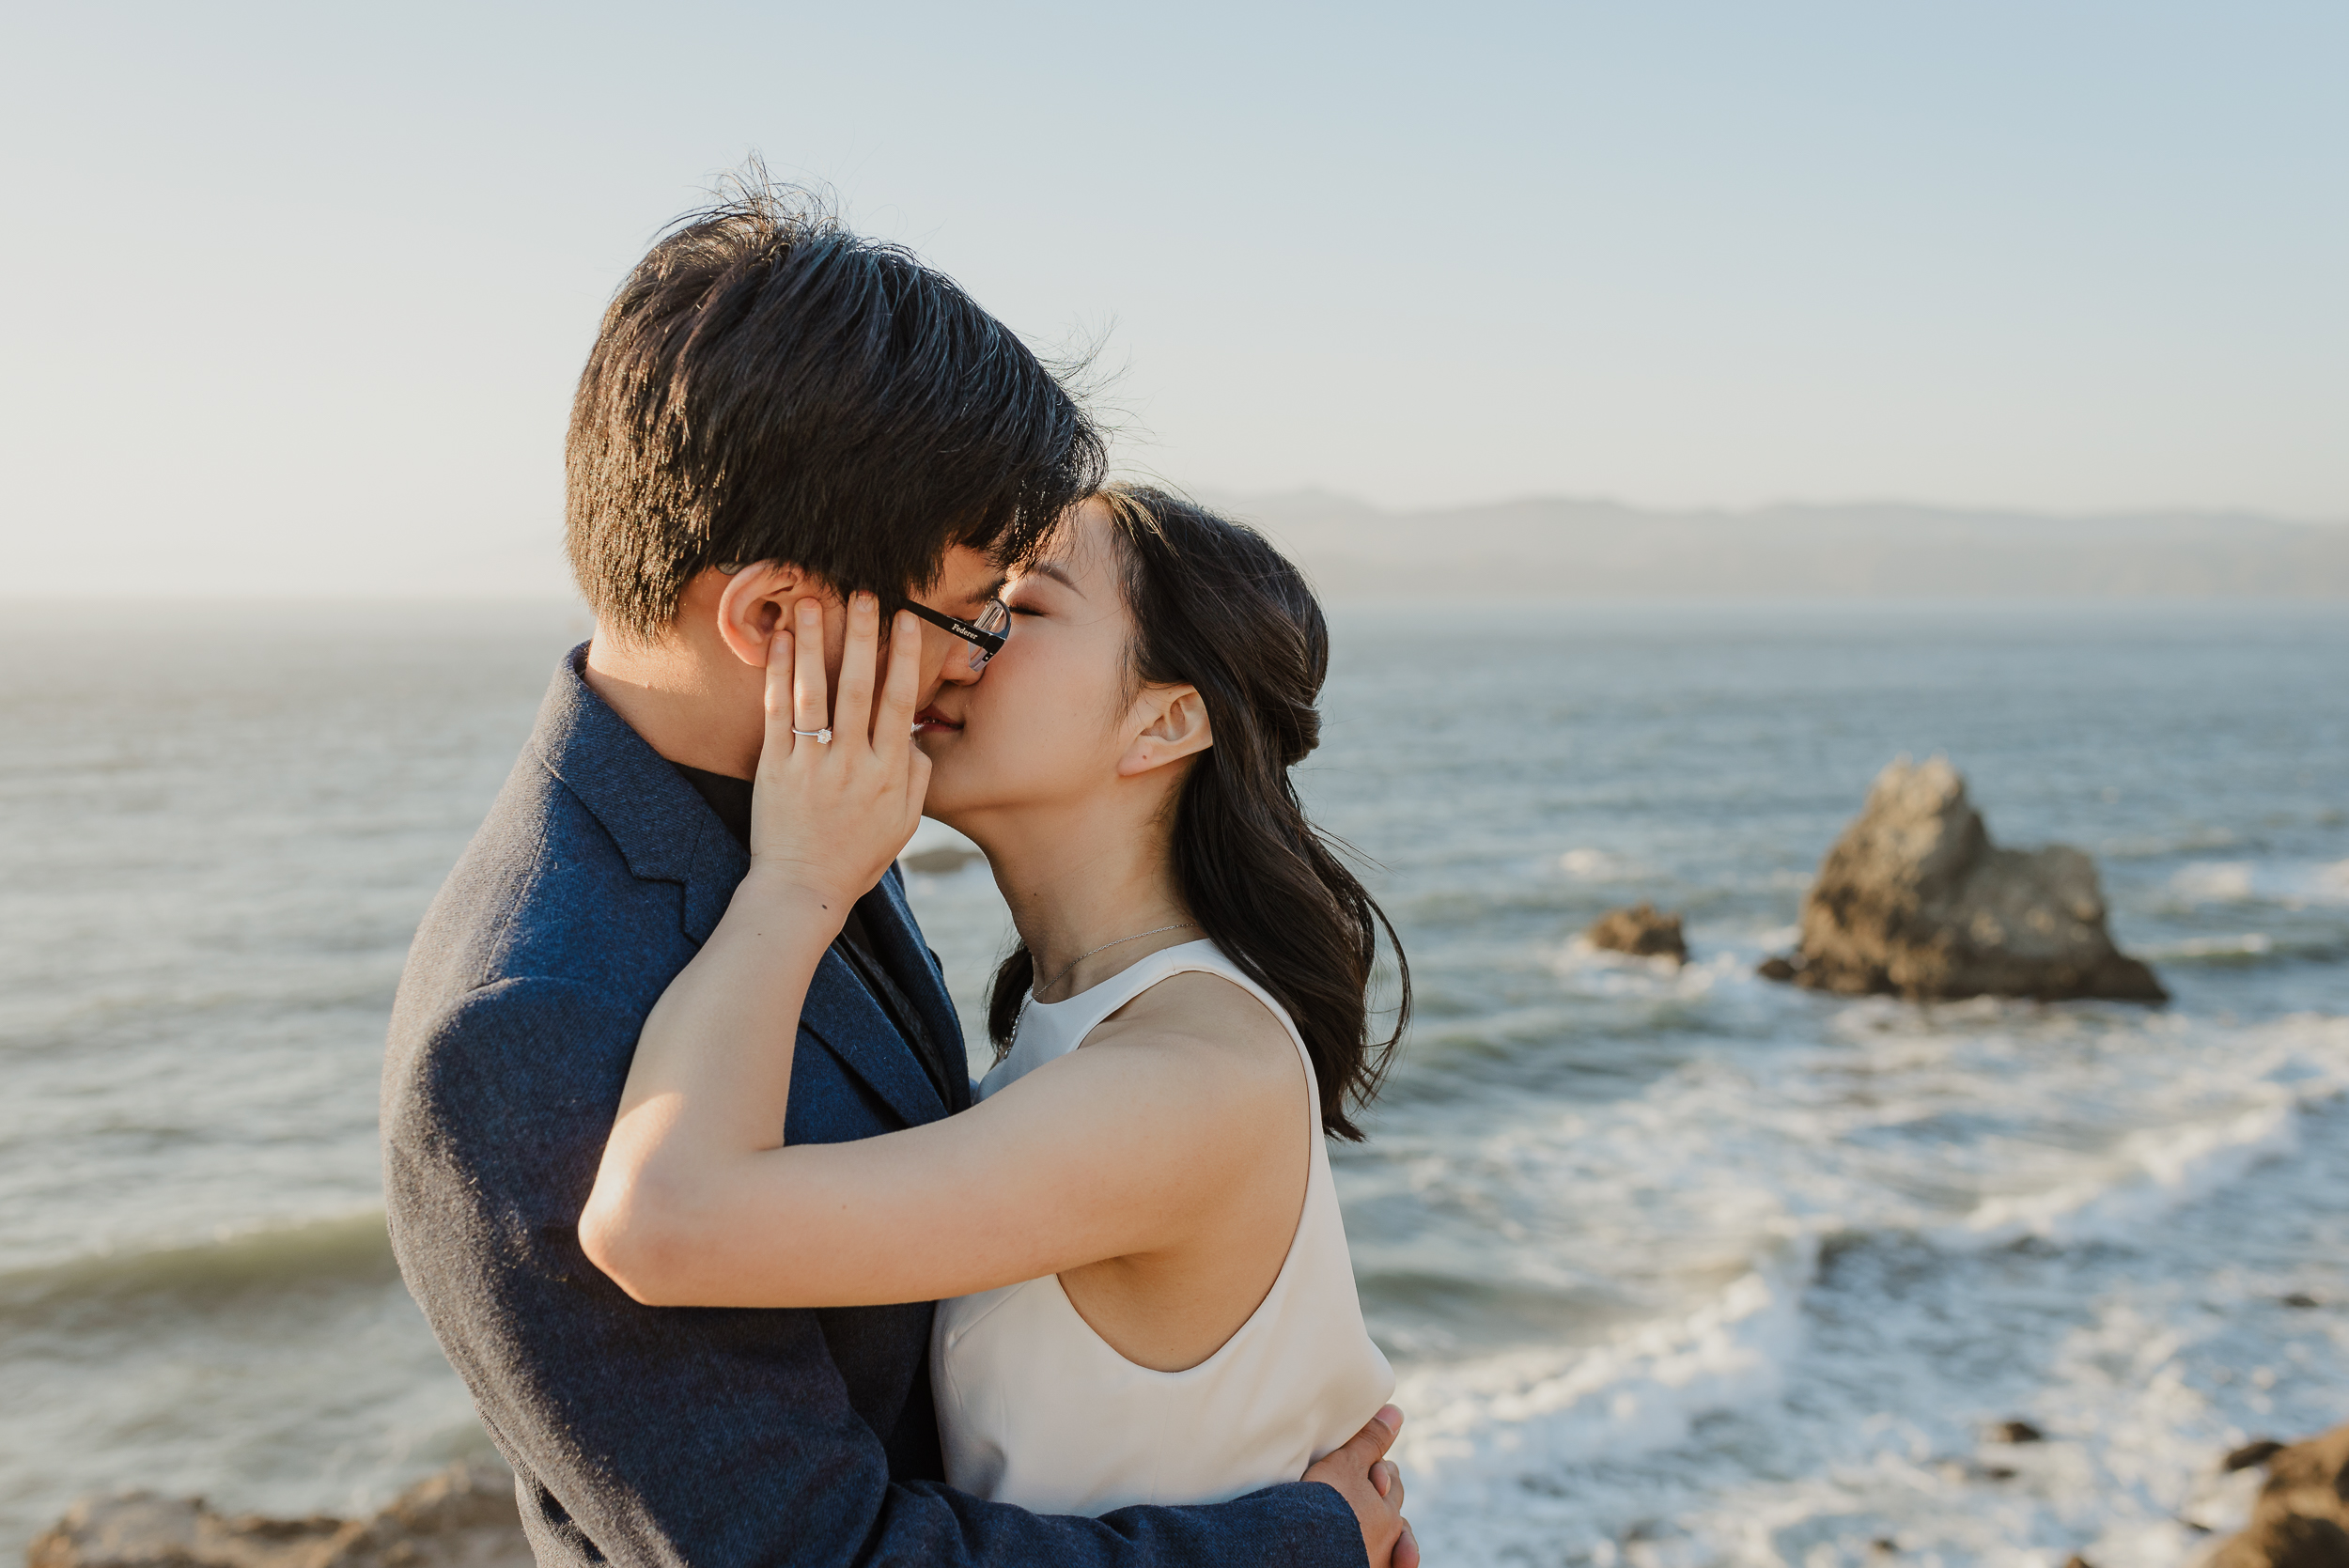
462	1518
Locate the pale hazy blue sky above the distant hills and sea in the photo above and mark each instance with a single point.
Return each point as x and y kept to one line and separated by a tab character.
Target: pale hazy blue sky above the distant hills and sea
299	292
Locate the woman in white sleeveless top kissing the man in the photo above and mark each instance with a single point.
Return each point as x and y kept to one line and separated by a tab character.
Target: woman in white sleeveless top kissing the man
1150	1295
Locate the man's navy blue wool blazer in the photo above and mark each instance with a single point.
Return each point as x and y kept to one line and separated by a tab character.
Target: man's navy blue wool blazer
706	1438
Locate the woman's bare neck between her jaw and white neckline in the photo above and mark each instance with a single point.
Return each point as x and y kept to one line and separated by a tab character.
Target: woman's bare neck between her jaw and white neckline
1082	881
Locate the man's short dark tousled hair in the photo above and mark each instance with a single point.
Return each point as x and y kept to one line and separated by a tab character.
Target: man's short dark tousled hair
769	386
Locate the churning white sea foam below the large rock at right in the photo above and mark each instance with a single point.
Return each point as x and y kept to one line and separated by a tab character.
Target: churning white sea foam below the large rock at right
1789	1419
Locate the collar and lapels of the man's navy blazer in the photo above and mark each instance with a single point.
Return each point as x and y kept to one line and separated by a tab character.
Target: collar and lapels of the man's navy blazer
668	834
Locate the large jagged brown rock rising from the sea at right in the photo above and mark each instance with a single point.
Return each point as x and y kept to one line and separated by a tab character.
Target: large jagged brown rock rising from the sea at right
1916	900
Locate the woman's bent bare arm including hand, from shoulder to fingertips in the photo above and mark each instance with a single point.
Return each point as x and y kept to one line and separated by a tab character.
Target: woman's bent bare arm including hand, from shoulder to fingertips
1115	1151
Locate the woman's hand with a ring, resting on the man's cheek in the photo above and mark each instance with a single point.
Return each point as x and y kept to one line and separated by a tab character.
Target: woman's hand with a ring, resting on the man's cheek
840	780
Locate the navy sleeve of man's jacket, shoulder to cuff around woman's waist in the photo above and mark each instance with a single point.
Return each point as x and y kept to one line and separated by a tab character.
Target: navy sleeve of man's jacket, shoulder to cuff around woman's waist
689	1435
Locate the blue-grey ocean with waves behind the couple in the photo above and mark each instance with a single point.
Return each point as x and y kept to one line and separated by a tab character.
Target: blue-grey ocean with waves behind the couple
1676	1266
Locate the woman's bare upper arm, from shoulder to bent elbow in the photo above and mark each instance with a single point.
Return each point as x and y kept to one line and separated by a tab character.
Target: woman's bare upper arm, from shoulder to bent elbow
1129	1147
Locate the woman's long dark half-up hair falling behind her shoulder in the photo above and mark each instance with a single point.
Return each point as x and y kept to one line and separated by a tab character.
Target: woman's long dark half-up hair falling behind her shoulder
1220	609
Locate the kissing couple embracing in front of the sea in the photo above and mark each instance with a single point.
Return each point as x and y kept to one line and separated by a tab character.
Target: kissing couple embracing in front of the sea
682	1154
